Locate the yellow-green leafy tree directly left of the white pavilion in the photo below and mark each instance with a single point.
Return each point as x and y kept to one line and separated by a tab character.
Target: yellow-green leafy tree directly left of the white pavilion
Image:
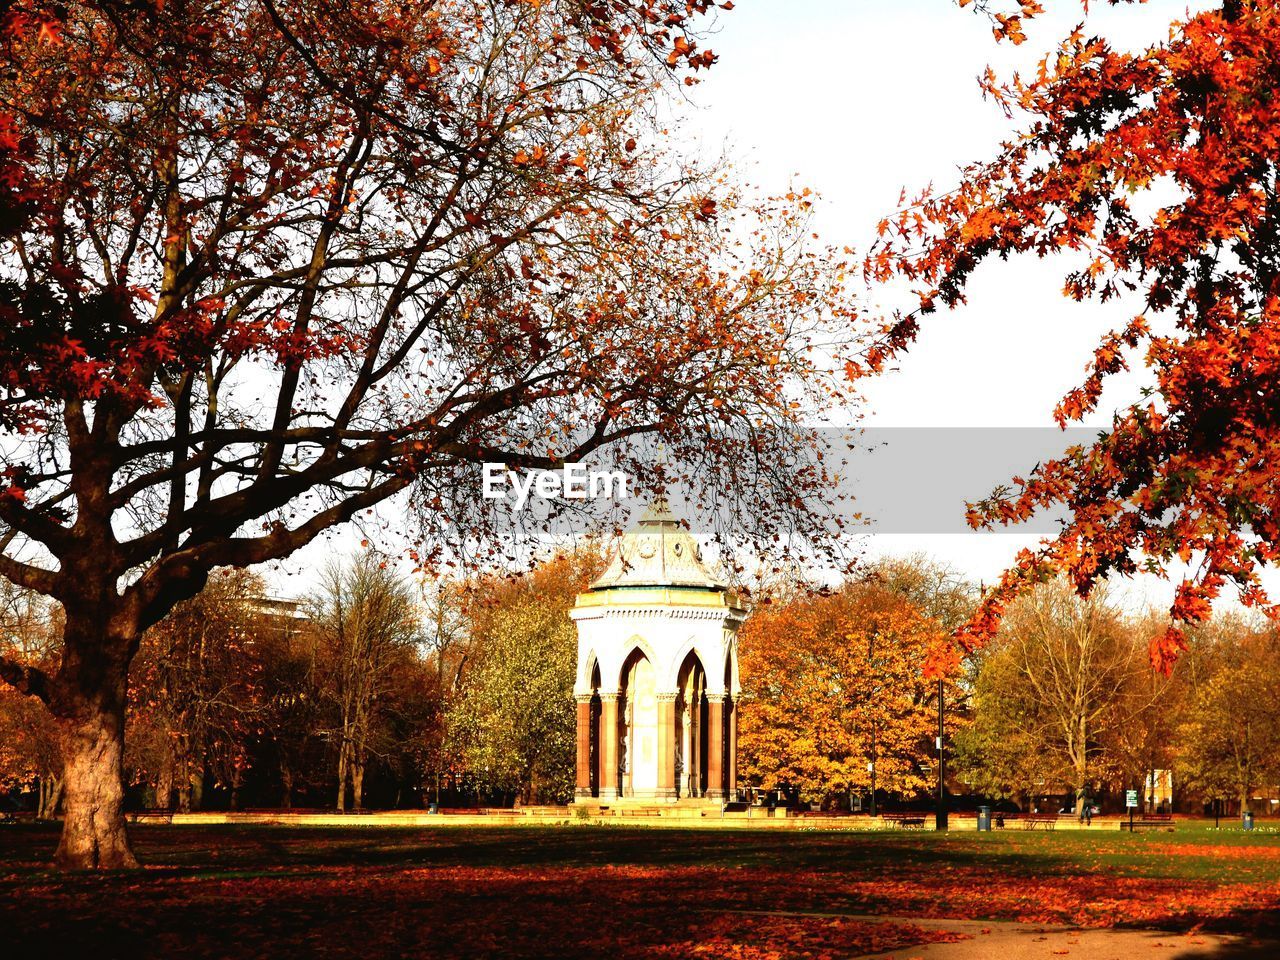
513	724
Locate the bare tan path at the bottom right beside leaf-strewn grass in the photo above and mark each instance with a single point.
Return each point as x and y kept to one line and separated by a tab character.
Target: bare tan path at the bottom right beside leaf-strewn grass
1002	940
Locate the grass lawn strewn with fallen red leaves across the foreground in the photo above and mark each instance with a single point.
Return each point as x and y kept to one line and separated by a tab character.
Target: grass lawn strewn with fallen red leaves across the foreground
627	892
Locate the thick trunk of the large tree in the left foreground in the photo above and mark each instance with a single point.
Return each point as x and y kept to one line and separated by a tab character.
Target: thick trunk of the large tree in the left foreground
89	708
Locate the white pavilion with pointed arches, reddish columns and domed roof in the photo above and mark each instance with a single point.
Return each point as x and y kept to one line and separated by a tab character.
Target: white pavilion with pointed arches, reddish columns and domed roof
657	674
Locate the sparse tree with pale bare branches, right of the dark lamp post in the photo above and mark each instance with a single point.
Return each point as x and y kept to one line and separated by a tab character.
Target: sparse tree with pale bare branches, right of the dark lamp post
1062	679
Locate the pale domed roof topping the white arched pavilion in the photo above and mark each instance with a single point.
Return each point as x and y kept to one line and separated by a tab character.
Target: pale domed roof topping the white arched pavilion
657	552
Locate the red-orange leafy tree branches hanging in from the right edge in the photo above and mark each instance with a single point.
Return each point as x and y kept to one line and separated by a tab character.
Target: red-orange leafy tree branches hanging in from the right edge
1153	173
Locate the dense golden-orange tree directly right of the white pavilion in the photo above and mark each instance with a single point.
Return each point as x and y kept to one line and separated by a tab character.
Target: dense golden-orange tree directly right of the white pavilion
833	685
